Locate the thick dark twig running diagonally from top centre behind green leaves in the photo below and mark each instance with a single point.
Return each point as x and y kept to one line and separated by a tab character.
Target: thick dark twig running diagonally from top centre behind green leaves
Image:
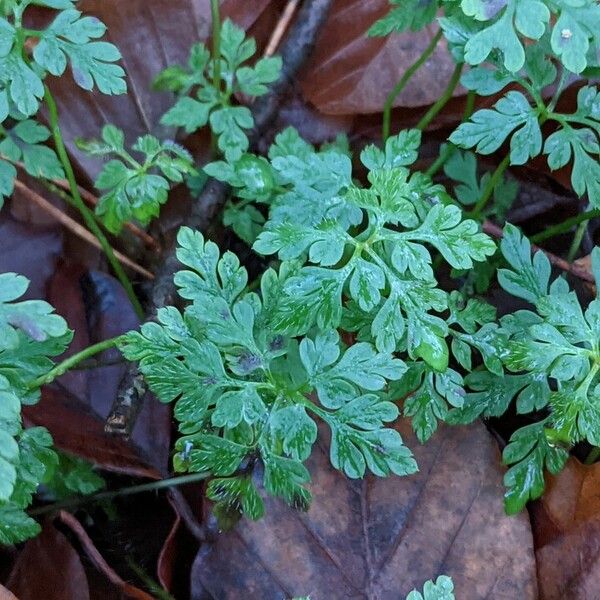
294	52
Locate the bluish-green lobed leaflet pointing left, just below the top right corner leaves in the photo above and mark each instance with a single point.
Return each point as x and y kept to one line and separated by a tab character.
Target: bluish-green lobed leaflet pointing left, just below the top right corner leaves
488	129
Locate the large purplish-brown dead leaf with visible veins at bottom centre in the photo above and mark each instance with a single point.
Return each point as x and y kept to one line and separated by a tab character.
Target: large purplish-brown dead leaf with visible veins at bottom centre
380	538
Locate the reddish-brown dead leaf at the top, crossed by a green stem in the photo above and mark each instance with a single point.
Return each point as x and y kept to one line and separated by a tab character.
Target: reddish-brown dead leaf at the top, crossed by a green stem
352	73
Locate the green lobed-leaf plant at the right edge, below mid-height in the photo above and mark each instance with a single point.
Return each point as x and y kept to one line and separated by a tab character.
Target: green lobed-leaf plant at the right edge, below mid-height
552	359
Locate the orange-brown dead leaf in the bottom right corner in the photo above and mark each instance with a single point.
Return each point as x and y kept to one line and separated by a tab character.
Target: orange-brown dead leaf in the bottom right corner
566	524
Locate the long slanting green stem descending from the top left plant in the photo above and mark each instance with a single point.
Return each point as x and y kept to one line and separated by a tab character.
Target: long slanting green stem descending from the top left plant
86	213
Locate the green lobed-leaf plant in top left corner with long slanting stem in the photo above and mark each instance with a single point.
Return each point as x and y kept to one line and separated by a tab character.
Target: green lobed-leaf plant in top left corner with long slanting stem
71	39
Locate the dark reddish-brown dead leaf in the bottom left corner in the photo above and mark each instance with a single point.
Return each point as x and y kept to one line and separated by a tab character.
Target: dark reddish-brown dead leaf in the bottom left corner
48	567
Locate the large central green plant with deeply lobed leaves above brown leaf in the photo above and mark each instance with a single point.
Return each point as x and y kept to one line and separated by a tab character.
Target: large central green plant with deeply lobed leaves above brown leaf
250	372
